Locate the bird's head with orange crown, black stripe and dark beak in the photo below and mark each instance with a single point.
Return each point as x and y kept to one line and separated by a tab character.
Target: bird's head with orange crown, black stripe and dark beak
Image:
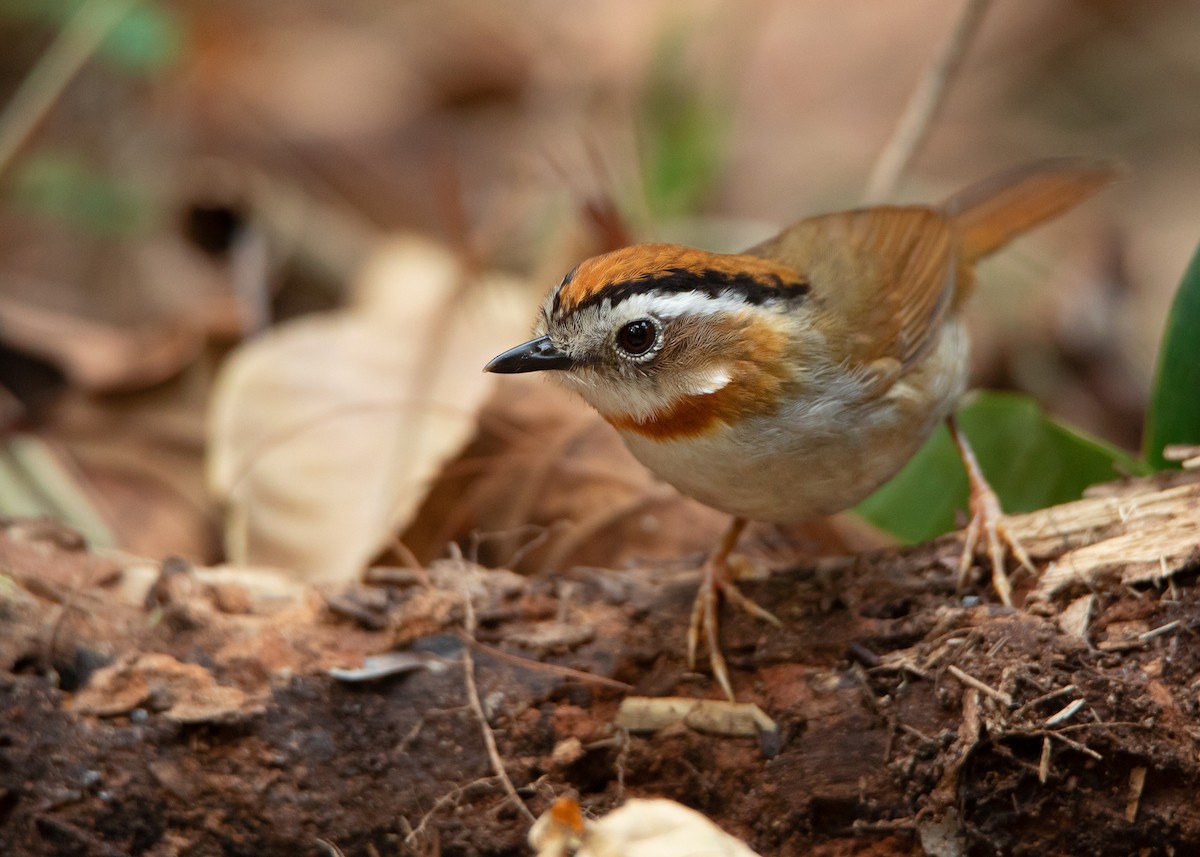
665	340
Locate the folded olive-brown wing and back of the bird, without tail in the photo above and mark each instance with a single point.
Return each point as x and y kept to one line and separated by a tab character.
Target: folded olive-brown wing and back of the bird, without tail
881	279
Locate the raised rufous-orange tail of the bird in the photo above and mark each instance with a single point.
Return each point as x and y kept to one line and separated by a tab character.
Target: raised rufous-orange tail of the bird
994	212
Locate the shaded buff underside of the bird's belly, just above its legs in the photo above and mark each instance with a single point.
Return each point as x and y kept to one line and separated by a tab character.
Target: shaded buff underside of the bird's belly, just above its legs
817	458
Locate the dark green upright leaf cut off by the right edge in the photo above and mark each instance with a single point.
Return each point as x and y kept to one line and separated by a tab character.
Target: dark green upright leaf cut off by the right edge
1175	404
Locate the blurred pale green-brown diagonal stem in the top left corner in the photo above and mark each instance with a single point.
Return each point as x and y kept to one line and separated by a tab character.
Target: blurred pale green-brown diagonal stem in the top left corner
62	62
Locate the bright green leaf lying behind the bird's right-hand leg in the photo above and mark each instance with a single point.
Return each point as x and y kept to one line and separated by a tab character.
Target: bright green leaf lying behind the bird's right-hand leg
1031	460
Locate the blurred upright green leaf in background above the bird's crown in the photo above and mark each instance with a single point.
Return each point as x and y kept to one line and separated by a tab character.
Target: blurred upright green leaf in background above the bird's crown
682	134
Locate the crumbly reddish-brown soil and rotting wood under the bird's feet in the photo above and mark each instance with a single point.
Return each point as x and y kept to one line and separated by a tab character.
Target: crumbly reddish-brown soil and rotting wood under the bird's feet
909	720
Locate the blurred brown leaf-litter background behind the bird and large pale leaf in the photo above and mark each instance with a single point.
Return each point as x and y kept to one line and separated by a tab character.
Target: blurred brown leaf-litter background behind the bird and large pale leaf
179	177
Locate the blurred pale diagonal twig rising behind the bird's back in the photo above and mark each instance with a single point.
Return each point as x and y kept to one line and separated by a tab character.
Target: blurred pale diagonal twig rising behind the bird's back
923	105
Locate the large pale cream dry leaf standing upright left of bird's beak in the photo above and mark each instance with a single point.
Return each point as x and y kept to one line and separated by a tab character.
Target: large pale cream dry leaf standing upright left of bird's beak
327	433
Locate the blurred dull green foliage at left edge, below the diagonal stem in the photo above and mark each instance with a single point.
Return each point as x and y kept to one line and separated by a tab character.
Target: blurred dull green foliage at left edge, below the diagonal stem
62	187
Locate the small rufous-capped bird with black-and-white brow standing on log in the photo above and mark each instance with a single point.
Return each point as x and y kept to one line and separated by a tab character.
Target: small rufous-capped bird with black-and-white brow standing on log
790	381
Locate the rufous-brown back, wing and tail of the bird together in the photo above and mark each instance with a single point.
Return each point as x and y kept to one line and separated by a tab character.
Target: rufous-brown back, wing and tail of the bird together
887	275
